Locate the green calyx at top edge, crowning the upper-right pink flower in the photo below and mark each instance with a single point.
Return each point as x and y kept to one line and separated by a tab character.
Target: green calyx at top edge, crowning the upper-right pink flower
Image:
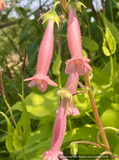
76	4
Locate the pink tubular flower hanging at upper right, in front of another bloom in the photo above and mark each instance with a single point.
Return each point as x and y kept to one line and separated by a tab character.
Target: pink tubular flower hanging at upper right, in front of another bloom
77	63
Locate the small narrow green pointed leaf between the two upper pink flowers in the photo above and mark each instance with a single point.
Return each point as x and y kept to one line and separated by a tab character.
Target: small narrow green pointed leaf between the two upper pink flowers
57	64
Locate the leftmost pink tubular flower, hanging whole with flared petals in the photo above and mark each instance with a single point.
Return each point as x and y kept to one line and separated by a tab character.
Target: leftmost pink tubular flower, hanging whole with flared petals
44	59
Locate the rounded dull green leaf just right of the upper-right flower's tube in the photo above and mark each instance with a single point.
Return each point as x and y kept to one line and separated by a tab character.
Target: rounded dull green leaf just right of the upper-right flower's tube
90	44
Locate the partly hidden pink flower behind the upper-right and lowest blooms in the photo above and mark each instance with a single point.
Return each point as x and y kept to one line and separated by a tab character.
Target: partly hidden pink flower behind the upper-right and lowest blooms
72	78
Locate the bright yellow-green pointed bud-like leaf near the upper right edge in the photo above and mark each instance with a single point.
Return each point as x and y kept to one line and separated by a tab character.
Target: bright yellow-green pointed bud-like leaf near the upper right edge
109	45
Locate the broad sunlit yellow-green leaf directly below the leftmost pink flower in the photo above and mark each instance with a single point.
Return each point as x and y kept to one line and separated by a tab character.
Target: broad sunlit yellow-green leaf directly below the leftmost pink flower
40	105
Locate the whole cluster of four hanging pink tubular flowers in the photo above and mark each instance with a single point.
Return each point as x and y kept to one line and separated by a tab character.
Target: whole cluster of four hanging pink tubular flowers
76	66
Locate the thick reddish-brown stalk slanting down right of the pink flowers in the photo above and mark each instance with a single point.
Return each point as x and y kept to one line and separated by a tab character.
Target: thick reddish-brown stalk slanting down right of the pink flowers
95	112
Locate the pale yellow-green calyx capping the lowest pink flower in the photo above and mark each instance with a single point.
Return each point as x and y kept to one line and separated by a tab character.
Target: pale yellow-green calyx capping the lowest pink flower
65	93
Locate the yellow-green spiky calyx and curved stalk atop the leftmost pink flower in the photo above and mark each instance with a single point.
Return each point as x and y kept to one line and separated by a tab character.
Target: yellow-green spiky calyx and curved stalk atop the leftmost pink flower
50	14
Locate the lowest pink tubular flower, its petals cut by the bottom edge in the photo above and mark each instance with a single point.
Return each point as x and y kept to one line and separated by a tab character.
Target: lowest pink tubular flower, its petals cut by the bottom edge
58	133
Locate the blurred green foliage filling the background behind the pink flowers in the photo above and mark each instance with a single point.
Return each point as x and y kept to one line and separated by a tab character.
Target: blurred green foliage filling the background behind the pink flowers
20	34
